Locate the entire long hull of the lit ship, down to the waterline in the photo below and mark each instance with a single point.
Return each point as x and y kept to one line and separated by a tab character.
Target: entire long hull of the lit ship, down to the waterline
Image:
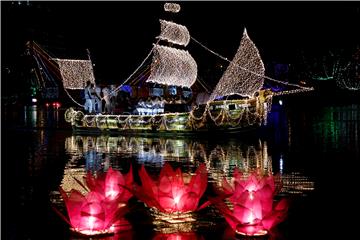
226	116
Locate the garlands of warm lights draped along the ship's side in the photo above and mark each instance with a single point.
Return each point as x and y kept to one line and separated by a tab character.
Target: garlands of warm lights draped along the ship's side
248	113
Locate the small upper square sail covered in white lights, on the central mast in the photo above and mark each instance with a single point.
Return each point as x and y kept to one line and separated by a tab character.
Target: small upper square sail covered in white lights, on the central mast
174	33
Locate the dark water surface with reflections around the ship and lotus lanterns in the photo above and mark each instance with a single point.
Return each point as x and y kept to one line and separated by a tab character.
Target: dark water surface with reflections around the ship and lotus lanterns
313	146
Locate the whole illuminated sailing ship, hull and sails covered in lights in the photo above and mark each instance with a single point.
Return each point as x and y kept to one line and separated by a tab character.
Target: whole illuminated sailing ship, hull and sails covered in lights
237	103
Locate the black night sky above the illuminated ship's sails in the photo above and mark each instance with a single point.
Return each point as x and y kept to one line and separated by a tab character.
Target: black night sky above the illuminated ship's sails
120	34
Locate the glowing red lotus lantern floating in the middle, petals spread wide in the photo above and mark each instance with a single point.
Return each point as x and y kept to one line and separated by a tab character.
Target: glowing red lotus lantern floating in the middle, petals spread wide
174	194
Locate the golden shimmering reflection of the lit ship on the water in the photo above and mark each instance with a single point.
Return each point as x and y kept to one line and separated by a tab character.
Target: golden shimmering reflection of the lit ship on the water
220	159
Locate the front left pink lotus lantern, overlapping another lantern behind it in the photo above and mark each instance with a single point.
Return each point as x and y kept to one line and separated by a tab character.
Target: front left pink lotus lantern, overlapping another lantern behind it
92	214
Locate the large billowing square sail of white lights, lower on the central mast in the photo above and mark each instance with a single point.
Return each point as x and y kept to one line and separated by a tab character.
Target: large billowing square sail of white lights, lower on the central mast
171	66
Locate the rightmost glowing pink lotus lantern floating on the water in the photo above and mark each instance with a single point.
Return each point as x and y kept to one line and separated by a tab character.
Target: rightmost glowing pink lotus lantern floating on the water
254	212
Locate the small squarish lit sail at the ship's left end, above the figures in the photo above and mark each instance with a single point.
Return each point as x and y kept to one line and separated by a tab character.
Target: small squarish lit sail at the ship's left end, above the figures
75	73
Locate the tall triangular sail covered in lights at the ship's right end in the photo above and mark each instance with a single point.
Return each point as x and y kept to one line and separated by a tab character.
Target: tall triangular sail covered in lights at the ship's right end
244	75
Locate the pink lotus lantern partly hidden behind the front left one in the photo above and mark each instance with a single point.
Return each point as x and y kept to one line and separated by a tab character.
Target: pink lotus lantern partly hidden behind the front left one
111	185
